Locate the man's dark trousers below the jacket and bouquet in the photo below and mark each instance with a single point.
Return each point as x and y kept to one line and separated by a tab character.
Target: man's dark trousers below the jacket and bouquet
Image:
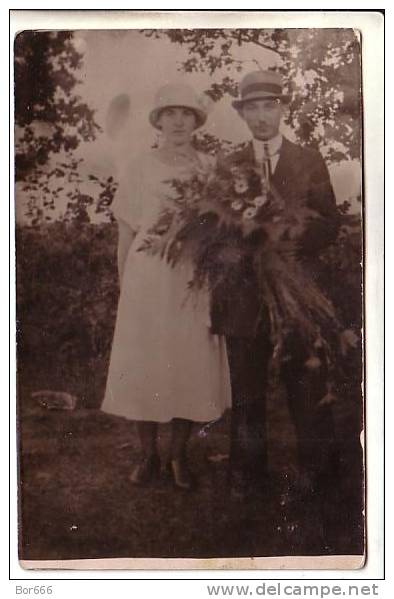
249	360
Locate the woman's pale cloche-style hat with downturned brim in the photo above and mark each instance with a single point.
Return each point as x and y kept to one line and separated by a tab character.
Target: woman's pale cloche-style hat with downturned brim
179	95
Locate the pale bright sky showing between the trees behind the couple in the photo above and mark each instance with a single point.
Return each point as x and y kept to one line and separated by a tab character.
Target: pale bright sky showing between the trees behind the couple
121	72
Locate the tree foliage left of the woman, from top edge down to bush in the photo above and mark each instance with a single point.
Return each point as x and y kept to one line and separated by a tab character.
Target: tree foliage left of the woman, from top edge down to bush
51	121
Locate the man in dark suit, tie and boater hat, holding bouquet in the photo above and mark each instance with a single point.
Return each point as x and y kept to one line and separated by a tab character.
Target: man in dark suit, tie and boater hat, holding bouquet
301	177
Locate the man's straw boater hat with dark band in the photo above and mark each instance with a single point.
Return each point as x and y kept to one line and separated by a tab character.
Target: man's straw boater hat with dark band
260	85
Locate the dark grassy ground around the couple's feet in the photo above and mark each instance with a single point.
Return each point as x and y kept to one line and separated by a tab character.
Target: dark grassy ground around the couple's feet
75	500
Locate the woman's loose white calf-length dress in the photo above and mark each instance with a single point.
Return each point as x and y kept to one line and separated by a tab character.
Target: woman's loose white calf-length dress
164	362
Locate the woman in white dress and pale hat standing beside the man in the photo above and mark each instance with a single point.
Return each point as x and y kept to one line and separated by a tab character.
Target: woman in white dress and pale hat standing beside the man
165	364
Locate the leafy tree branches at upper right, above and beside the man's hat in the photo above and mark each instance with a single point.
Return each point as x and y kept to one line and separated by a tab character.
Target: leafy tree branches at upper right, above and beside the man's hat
320	67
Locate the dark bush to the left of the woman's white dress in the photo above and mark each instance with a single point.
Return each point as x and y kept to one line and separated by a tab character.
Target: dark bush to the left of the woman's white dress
67	289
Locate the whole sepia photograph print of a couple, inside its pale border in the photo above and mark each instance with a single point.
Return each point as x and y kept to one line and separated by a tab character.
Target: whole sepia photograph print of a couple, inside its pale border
189	262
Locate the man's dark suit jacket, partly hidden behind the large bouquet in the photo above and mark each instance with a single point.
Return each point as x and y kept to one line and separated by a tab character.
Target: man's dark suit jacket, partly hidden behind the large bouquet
301	177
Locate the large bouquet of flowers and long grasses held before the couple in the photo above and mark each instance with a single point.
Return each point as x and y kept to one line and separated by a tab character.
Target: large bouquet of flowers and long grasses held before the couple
222	216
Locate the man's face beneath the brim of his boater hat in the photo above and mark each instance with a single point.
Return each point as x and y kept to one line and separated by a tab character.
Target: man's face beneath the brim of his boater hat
262	117
